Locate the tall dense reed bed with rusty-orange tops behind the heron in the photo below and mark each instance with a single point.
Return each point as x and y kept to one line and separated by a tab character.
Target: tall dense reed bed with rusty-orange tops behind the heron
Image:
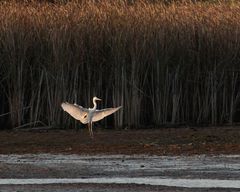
166	64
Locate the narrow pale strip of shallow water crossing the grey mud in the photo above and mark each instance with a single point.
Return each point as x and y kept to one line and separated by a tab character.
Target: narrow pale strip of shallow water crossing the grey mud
188	183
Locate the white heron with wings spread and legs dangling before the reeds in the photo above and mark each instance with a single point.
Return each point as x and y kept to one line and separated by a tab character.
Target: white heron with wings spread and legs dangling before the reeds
90	115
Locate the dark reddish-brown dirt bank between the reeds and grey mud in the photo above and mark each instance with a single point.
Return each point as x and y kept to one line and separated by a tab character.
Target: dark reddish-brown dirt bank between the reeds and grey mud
162	141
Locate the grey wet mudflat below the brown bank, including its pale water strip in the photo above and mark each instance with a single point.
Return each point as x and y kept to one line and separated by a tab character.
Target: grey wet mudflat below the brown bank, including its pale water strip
61	172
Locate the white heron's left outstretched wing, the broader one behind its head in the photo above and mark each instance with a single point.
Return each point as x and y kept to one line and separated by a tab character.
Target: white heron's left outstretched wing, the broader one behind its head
76	111
